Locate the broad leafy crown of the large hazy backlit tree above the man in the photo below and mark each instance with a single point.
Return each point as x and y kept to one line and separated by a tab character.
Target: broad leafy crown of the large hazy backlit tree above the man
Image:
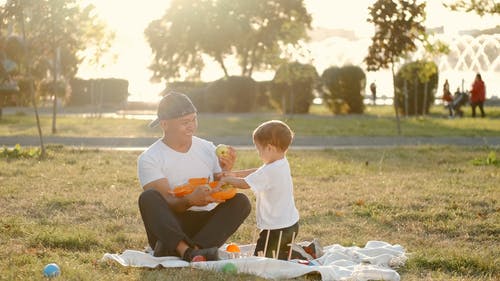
253	32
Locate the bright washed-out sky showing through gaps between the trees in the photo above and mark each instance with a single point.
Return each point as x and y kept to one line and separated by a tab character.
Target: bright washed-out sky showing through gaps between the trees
340	35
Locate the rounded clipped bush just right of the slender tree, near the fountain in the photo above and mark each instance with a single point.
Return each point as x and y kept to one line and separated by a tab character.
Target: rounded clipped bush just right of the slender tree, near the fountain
421	83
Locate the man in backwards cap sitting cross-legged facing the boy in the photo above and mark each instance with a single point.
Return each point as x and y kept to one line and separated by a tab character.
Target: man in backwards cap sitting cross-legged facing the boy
196	224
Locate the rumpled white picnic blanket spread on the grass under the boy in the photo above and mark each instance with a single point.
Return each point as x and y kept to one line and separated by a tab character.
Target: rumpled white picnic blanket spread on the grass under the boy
377	260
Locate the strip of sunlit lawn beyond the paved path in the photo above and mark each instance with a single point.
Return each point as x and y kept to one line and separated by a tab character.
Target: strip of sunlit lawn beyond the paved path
377	121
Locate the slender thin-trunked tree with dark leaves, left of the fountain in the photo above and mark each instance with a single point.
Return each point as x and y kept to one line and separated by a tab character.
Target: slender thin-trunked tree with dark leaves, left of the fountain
398	25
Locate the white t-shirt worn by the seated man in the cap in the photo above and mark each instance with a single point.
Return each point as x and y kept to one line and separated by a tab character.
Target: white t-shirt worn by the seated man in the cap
160	161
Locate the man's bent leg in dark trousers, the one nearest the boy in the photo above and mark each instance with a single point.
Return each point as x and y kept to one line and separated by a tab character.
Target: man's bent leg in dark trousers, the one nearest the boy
222	222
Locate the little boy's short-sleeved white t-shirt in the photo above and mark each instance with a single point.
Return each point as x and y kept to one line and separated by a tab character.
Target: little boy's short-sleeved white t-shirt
273	188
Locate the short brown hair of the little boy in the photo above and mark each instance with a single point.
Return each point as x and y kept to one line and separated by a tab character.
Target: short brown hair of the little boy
273	132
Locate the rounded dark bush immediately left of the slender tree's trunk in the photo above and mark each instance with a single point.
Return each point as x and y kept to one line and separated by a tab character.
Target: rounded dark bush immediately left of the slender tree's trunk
344	89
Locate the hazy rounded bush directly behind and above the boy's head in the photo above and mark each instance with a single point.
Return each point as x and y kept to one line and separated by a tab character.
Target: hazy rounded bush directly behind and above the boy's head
293	85
